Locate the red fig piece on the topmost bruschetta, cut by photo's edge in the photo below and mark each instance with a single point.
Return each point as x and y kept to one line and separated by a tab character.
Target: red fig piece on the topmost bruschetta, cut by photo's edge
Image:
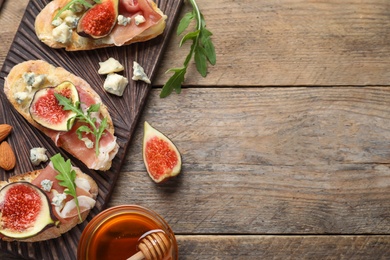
98	21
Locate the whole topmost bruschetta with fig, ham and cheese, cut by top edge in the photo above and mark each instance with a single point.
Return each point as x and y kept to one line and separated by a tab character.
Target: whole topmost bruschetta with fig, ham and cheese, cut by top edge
91	24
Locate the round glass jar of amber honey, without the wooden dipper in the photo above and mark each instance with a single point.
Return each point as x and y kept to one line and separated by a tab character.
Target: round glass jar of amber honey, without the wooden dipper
115	233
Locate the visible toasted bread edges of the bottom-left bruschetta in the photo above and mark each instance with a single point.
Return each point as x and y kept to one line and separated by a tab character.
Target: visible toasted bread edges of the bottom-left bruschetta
53	231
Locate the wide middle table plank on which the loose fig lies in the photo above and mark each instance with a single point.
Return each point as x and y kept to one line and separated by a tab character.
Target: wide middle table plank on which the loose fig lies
269	161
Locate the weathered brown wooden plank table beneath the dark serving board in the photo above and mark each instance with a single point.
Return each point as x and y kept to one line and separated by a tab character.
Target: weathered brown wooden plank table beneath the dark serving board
285	144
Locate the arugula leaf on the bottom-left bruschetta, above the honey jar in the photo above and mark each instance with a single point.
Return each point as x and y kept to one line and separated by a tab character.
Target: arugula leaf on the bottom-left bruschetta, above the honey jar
66	176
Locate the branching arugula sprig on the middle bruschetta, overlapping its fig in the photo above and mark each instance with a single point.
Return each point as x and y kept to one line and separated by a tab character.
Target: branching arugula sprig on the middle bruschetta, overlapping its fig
84	117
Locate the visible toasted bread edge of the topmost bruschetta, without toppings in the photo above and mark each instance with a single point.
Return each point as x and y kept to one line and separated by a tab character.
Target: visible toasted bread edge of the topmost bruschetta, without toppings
44	30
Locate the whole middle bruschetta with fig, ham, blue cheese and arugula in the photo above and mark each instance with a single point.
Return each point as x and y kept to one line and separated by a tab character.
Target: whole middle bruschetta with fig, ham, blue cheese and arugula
65	108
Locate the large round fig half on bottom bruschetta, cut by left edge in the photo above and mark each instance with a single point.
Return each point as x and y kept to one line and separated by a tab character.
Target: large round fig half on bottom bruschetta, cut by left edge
25	210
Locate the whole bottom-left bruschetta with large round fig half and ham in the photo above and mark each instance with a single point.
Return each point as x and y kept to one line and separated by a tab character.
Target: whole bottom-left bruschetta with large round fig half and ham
46	203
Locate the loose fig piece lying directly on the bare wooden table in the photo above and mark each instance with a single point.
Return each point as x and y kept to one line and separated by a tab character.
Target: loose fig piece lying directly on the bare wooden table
161	157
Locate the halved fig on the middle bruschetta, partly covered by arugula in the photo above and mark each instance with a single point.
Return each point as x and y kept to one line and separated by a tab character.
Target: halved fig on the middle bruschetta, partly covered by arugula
47	111
